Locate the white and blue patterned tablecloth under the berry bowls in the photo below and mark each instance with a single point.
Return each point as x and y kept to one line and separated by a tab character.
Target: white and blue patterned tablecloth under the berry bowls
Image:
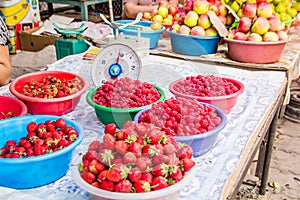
215	167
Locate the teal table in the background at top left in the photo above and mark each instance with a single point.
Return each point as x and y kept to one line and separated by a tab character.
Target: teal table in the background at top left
83	4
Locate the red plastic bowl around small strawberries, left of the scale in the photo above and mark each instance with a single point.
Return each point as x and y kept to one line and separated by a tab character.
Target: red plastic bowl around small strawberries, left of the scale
55	106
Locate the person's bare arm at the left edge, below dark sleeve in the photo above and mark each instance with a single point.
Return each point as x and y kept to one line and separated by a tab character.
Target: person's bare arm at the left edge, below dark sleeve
5	65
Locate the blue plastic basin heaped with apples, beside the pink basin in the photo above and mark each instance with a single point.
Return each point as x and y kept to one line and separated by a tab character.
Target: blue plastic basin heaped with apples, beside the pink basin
193	45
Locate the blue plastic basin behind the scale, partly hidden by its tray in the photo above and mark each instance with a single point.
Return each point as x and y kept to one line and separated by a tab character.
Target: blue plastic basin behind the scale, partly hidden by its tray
154	36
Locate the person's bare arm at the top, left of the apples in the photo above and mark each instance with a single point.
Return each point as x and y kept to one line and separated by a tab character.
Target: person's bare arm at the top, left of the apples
132	9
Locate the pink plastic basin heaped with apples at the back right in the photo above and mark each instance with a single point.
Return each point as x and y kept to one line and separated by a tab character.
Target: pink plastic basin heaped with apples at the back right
255	52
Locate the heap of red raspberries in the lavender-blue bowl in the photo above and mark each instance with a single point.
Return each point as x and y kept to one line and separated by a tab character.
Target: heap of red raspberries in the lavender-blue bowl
182	117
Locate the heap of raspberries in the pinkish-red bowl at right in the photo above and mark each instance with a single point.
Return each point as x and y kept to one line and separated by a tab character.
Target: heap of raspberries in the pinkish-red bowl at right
205	86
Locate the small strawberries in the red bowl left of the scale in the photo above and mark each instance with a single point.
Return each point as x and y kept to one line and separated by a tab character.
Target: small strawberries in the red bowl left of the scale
51	87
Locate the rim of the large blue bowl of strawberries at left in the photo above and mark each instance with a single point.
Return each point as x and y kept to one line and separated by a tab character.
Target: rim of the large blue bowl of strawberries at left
48	155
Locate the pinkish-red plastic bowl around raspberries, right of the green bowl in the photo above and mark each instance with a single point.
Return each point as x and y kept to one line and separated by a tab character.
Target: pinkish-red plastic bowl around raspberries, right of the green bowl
226	102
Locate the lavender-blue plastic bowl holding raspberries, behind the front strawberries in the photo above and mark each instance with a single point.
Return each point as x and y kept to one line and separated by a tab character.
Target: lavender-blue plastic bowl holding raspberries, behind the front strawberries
201	143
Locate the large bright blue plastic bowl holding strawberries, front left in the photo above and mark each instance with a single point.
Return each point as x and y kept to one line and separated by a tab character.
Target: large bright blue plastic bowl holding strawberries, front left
30	172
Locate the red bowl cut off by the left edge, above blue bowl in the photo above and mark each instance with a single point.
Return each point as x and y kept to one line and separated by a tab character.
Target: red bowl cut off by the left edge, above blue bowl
11	104
